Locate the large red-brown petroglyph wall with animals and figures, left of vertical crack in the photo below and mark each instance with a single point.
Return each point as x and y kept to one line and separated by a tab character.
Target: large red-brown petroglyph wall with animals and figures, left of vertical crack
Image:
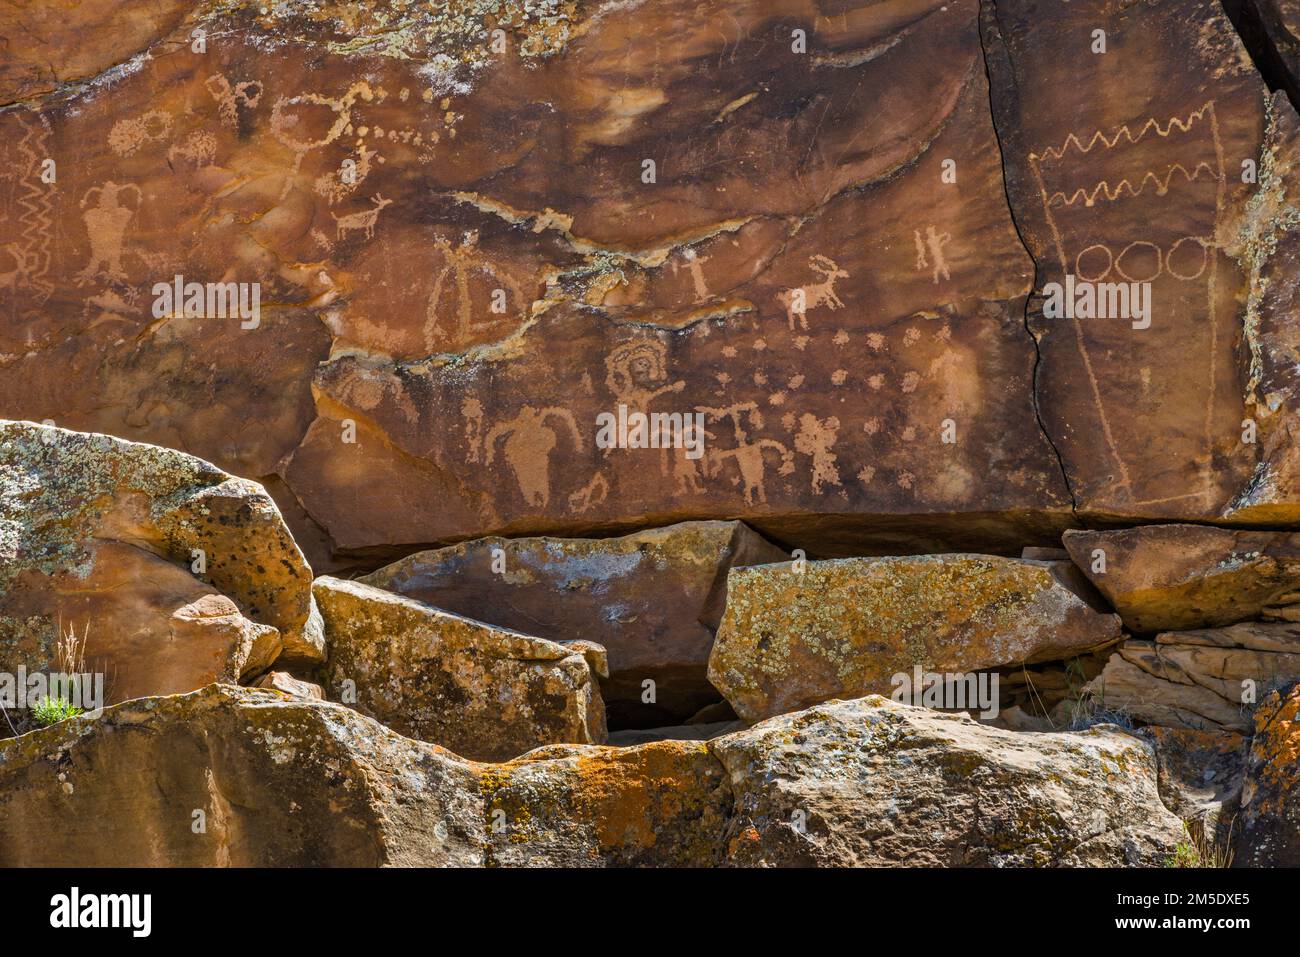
500	267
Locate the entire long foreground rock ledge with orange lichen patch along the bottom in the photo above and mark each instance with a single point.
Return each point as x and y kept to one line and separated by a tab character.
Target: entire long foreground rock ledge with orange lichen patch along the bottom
287	781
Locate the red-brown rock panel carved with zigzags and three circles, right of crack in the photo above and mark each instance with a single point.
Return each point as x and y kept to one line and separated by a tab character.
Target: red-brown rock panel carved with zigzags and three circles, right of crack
1123	167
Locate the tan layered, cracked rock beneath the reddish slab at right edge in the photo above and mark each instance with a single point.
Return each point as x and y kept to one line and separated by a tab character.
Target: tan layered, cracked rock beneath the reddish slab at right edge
1201	679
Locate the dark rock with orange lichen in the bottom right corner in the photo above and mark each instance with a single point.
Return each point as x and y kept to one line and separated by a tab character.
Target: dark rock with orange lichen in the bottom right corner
1271	815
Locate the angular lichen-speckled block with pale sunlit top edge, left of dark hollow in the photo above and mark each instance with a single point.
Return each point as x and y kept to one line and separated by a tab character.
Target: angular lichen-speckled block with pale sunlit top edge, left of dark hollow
482	691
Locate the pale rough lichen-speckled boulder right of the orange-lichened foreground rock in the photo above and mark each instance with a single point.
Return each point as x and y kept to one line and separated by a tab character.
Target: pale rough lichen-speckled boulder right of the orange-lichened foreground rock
876	783
